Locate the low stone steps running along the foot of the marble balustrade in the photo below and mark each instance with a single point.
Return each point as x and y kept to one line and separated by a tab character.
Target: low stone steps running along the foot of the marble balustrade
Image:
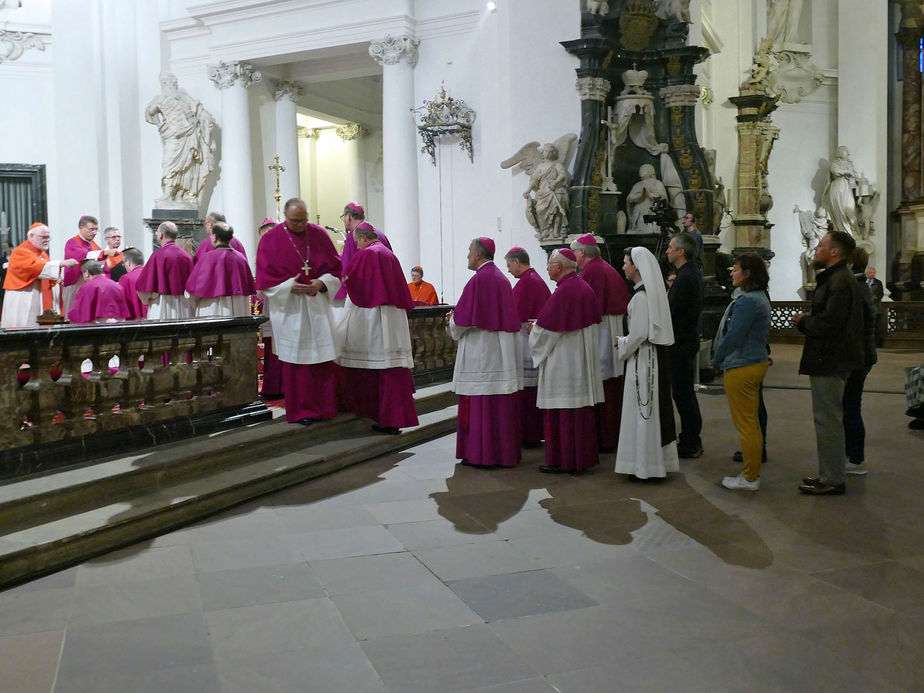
58	541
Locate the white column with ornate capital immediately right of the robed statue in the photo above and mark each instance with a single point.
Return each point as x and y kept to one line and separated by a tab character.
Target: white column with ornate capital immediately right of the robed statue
236	157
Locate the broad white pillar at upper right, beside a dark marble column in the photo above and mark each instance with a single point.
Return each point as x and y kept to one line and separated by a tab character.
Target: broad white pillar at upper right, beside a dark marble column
862	102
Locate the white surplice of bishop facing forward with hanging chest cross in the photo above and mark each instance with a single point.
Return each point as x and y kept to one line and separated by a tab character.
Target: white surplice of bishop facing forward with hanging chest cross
303	325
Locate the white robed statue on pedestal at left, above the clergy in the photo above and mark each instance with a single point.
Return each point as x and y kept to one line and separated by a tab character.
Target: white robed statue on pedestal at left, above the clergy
185	129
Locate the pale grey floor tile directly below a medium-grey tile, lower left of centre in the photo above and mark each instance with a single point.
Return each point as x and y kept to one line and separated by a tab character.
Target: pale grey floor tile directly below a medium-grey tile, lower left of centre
266	628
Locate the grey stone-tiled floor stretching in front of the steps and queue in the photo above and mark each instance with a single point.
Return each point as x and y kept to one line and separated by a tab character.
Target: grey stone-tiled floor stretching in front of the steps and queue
410	573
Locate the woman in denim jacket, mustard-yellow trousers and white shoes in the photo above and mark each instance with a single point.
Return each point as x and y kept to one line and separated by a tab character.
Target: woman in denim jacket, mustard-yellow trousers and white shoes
741	351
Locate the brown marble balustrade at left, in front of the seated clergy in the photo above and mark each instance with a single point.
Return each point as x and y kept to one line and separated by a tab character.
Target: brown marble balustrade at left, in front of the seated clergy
63	390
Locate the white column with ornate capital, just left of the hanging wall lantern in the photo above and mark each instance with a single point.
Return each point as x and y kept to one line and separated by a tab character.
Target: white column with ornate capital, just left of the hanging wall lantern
398	56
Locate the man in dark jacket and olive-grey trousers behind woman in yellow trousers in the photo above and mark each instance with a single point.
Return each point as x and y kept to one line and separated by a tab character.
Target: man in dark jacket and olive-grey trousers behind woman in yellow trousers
833	349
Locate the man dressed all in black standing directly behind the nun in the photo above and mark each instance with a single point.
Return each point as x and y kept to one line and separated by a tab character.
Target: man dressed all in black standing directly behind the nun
686	302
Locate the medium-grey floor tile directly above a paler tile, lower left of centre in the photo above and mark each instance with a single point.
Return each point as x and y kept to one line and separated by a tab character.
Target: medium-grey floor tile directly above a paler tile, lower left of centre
228	589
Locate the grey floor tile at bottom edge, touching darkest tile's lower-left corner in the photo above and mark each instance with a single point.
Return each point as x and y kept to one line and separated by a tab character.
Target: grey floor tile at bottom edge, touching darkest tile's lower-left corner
458	659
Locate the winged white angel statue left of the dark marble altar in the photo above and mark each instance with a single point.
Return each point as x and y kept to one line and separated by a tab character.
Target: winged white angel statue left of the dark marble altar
547	197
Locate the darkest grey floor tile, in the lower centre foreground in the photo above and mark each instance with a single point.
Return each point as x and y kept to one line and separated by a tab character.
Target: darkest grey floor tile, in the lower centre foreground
497	597
